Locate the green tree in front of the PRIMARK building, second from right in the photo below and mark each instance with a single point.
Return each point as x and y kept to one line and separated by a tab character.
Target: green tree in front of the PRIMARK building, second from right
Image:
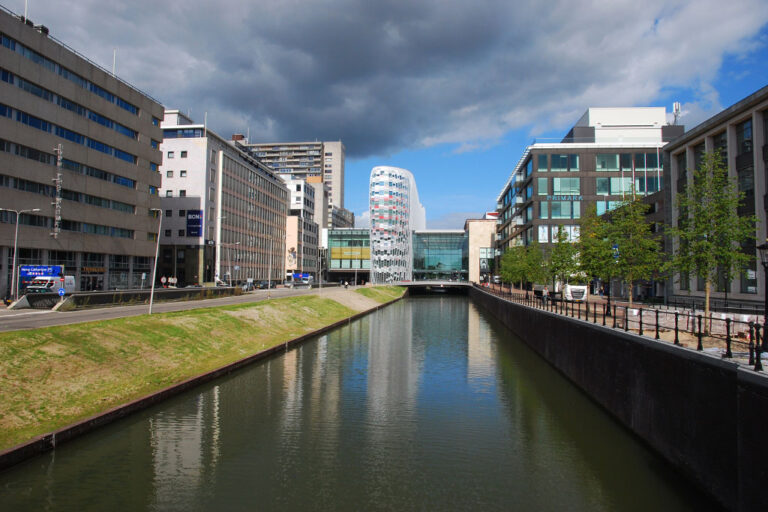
639	251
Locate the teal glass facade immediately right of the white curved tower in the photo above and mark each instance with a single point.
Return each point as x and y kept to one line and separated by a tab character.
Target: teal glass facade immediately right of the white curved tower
440	255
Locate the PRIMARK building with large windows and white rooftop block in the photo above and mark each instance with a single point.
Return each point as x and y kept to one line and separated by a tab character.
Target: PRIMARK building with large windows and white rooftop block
609	155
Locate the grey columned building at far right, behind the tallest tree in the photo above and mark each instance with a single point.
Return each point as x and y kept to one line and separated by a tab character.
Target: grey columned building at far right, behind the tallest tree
740	133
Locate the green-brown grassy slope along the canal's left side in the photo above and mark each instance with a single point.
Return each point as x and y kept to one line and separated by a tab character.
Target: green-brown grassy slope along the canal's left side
55	376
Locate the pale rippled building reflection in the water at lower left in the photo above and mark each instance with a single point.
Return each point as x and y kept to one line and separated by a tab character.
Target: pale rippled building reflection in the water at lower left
185	445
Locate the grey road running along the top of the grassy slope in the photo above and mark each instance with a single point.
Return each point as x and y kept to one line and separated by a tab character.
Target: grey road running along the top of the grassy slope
14	320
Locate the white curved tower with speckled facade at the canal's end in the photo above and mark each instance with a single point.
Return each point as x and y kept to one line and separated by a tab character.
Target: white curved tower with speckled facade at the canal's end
395	214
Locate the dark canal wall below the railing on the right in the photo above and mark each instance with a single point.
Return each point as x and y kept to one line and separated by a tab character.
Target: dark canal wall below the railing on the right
706	416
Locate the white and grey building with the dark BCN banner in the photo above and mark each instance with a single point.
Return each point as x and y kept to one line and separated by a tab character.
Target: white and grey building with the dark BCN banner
224	211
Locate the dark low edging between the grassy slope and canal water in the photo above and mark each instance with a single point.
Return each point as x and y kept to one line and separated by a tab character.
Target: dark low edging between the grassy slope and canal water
49	441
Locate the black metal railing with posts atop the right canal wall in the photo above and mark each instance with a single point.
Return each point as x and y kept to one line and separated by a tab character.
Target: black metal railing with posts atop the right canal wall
739	337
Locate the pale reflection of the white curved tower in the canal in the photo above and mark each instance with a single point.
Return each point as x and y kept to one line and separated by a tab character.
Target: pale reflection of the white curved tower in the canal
393	365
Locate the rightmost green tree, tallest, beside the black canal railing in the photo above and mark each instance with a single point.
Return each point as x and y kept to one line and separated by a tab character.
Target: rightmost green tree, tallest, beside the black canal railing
710	235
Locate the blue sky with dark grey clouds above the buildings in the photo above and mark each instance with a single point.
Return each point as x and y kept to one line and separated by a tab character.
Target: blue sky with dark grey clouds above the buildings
451	90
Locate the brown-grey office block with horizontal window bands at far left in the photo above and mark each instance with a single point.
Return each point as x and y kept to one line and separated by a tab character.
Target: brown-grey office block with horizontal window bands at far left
79	157
